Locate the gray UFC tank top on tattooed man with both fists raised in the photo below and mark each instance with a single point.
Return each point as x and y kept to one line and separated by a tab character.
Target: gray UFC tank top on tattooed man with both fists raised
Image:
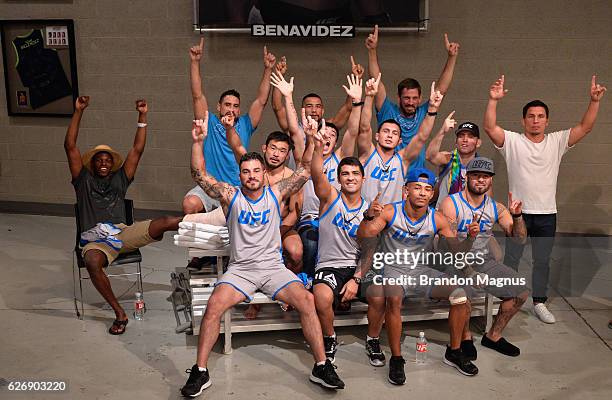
253	226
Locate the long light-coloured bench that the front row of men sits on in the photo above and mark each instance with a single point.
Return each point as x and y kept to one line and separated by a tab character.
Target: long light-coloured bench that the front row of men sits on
272	318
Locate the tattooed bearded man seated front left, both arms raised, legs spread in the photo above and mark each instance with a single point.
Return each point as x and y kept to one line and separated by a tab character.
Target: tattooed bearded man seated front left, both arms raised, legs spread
253	219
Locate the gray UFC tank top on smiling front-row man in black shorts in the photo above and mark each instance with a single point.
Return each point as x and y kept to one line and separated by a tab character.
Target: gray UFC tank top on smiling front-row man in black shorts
338	226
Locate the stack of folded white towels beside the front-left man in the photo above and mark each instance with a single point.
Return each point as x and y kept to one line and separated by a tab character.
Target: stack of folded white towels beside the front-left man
201	236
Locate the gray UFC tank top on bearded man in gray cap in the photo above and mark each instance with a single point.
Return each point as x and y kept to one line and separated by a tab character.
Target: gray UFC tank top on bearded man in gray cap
485	214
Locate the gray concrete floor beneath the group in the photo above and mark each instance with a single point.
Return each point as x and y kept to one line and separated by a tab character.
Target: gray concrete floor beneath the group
42	339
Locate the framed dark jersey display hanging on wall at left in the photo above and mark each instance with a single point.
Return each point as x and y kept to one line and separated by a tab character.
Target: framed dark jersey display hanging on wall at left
40	73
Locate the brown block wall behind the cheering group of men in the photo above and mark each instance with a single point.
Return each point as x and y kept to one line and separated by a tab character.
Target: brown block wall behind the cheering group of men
127	50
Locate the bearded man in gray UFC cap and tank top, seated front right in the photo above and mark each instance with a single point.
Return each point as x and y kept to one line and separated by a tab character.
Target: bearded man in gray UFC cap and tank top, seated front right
473	208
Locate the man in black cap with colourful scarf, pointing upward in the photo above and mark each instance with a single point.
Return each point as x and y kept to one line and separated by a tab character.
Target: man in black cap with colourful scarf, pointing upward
451	164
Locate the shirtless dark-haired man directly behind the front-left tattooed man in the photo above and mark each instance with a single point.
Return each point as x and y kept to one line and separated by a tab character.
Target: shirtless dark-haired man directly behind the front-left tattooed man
275	152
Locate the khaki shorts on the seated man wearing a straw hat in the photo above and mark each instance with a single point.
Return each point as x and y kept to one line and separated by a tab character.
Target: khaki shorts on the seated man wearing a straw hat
133	237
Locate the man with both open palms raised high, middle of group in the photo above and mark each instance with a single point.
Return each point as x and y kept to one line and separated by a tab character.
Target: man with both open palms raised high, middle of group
307	202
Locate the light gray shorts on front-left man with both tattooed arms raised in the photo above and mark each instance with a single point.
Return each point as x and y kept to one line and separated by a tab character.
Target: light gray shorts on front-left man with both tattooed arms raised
270	281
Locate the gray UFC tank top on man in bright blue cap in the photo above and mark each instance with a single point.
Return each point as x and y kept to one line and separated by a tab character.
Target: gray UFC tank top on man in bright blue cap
414	236
